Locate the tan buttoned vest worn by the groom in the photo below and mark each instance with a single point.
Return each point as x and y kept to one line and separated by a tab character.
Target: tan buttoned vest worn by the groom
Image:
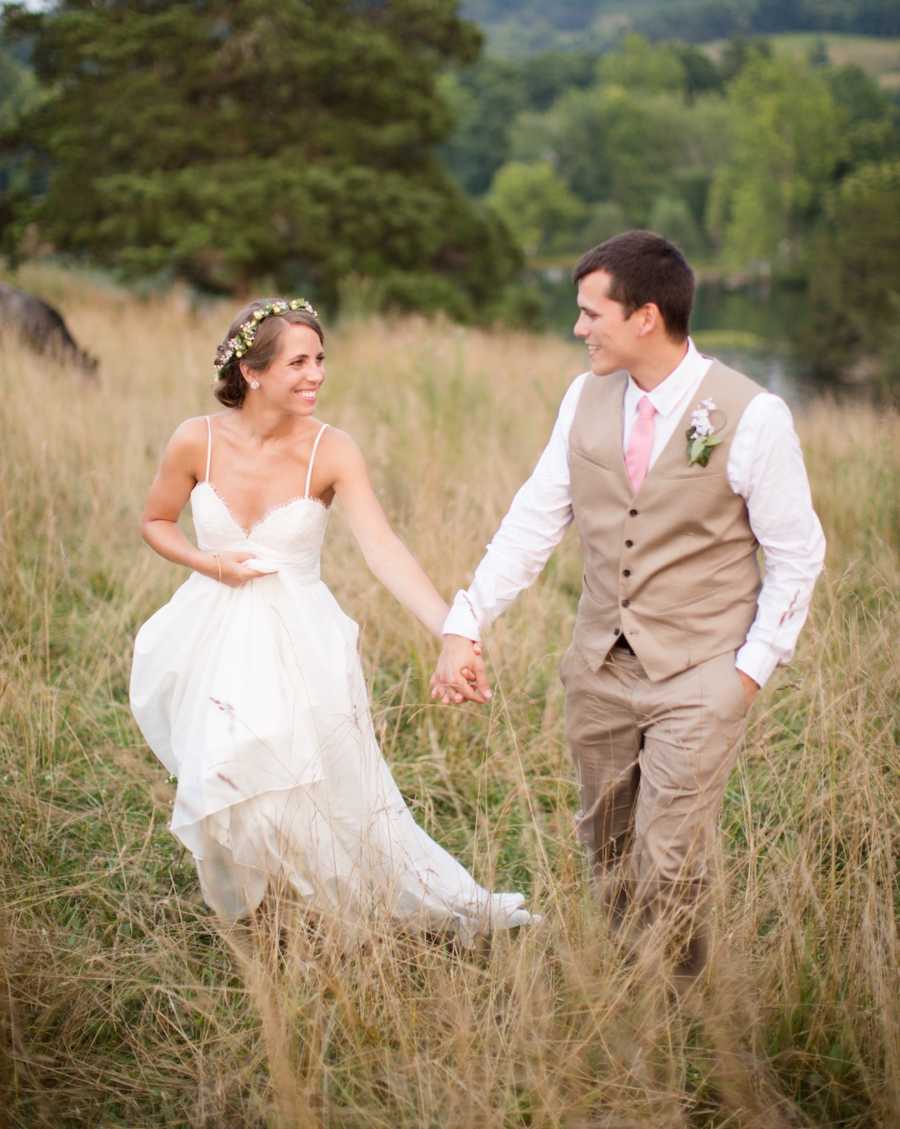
674	567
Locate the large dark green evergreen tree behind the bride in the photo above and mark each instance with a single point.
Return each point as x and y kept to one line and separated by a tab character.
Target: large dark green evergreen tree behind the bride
235	142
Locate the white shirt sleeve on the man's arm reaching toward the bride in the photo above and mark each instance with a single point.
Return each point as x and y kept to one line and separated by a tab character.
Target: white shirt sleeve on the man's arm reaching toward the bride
534	527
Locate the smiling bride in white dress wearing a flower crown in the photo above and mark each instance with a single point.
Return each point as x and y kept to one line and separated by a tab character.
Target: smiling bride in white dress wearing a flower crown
248	685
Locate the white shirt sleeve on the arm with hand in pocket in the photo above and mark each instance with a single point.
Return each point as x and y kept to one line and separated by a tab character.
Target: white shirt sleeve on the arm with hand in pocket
770	474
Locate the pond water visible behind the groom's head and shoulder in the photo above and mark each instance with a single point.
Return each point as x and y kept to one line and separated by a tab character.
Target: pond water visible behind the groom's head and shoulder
749	329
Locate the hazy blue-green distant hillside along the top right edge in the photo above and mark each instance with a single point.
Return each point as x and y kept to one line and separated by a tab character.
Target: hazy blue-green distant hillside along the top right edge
519	28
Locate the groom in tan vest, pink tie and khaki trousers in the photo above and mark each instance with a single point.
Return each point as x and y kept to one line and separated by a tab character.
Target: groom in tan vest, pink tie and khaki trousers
676	631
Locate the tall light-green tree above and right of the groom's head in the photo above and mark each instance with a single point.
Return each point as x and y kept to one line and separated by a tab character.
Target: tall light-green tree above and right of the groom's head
788	141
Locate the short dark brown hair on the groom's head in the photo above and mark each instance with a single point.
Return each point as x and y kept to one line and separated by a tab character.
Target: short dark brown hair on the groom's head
644	268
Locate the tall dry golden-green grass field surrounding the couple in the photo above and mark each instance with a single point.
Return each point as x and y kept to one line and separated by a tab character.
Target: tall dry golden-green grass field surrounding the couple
124	1005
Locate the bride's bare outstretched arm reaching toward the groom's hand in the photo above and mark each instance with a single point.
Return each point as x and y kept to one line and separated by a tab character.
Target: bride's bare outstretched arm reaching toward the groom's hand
385	553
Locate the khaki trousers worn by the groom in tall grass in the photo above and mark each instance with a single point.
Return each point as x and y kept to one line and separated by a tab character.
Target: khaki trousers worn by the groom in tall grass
653	760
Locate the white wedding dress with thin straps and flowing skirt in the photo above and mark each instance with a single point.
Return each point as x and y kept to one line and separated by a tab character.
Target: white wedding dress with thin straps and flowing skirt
255	699
